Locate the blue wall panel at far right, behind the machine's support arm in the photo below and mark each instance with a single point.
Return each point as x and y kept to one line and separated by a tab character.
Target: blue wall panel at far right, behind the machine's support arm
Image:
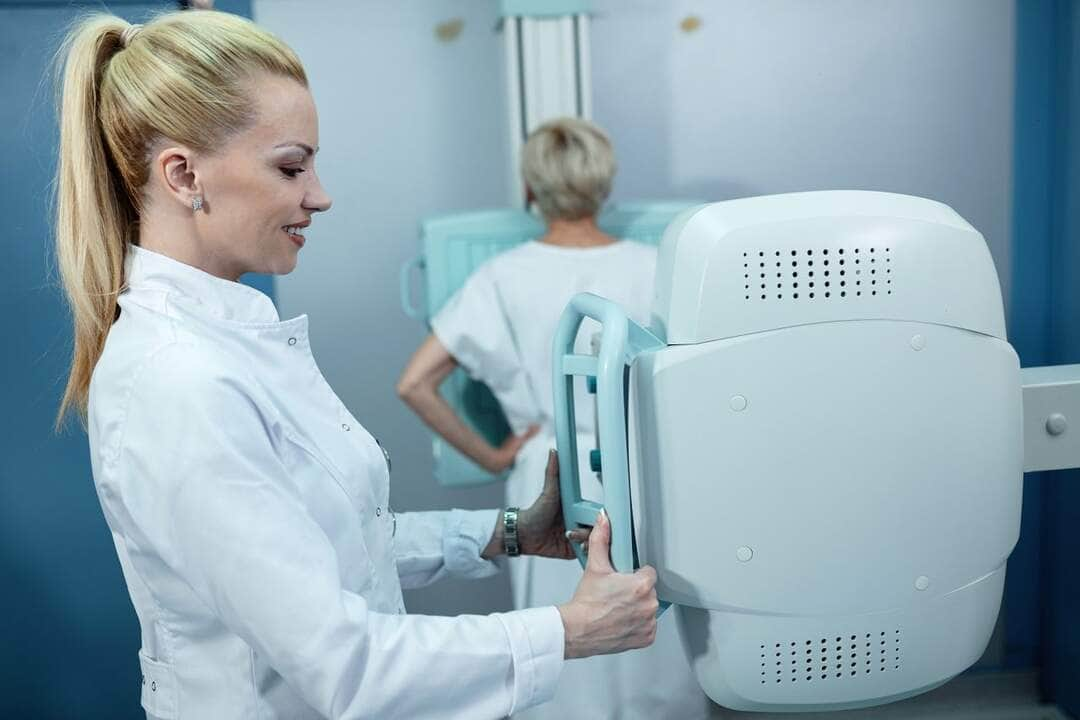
1045	327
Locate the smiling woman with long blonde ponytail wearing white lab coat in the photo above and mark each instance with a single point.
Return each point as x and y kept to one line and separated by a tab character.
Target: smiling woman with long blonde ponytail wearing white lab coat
249	507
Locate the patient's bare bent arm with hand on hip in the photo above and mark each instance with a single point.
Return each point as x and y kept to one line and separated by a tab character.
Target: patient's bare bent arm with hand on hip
418	388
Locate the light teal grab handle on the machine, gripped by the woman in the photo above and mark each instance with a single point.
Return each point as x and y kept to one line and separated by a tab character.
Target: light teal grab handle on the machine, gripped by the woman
622	341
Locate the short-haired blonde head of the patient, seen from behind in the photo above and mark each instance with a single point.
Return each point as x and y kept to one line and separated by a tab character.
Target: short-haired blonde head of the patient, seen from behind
569	165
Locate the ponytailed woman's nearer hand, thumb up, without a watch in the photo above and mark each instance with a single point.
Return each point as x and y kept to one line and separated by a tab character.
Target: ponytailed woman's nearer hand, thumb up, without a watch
611	612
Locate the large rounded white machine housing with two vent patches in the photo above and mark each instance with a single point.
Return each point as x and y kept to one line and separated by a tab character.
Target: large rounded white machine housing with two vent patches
827	458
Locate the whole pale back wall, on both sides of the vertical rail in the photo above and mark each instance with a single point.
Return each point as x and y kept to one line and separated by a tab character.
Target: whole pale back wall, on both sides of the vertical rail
767	97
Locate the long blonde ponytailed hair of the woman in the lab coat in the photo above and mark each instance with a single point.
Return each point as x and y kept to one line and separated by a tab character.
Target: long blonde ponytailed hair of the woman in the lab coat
184	76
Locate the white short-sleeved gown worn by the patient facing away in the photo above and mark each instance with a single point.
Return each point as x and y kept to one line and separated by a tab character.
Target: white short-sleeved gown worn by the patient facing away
499	328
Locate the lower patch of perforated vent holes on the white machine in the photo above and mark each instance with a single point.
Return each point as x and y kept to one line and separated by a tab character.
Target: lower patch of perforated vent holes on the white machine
834	659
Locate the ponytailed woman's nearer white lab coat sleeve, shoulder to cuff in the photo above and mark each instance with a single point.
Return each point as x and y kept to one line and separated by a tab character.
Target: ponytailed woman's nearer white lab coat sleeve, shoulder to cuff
209	492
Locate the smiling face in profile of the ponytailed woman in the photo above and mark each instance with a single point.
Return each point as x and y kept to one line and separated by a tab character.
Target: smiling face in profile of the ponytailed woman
261	192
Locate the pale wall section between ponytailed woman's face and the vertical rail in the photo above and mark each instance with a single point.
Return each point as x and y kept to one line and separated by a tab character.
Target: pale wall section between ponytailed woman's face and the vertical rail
410	126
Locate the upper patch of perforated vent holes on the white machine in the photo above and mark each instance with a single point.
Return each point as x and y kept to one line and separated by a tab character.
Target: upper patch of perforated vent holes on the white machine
821	275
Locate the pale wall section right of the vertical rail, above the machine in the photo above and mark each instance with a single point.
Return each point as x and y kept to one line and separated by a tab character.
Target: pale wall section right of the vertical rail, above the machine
912	97
